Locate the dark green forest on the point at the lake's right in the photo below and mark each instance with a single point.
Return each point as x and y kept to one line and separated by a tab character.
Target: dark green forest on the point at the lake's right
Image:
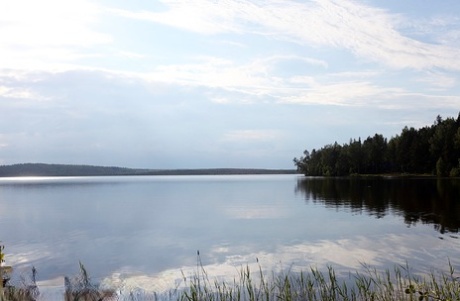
431	150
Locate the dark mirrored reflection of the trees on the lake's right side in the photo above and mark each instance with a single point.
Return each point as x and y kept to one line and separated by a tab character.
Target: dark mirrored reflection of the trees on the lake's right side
425	200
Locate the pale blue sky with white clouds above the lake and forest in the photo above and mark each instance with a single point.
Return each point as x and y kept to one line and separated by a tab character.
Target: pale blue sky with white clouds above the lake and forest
218	83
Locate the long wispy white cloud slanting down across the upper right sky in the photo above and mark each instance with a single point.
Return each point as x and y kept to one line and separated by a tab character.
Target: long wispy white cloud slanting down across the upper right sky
368	32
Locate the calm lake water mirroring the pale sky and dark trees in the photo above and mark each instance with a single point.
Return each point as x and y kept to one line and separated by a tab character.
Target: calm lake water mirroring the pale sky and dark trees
144	232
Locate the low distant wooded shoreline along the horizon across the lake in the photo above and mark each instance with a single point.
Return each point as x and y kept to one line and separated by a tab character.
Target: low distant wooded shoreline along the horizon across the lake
68	170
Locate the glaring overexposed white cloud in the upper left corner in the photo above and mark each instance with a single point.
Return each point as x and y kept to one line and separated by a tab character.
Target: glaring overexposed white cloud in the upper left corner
51	32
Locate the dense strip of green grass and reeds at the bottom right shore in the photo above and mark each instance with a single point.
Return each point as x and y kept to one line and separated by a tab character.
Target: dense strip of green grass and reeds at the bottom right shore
370	284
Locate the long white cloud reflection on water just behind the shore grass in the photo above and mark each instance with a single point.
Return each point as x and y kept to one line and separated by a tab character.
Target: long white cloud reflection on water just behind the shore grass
421	253
